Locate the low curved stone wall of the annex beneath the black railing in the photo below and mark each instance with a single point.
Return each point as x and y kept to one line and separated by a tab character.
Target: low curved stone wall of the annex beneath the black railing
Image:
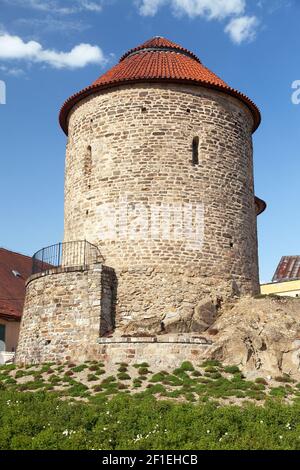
64	313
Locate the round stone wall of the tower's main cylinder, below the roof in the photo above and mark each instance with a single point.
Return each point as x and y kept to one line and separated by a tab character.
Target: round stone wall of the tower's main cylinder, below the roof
129	163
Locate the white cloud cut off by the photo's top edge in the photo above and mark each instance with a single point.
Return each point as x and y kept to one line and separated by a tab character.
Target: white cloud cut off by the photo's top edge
211	9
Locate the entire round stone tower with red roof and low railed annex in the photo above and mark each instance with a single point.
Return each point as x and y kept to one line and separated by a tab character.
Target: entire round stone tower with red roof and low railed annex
159	186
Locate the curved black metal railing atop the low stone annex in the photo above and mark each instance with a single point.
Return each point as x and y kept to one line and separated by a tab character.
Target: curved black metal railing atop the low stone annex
68	254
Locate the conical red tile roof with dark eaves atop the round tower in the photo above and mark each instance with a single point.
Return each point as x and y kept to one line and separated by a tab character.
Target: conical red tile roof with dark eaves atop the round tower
157	60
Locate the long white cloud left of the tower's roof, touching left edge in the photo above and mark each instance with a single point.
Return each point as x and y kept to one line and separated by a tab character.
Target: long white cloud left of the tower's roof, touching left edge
14	48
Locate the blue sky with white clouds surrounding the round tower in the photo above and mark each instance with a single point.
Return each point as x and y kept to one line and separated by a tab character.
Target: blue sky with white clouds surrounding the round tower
51	49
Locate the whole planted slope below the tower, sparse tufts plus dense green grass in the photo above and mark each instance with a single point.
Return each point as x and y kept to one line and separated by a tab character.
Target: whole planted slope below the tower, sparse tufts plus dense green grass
39	404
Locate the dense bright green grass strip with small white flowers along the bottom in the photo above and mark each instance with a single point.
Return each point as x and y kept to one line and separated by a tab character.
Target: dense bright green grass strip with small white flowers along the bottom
130	422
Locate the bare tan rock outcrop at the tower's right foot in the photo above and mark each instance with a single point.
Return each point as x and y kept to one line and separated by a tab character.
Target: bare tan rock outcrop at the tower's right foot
261	335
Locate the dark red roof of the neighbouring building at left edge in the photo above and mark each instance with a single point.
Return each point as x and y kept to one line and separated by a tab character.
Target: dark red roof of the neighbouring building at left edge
14	270
